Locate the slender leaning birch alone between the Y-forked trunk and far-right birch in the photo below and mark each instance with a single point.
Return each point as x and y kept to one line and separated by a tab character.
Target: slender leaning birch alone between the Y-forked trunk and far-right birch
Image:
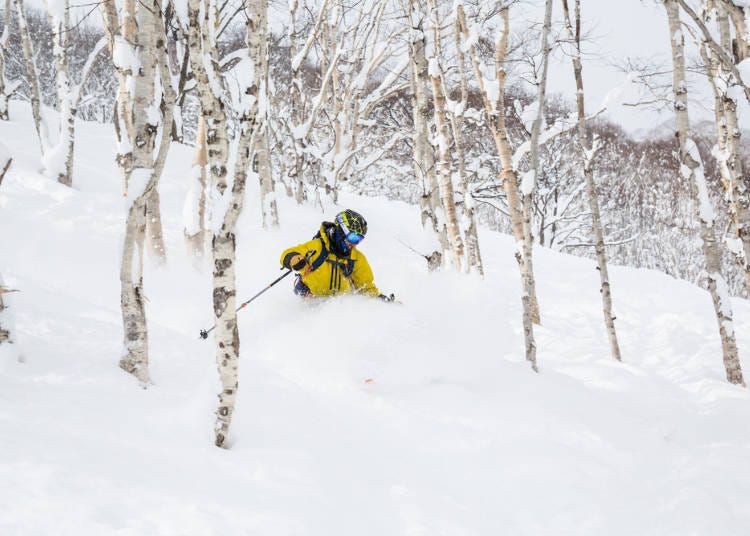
588	153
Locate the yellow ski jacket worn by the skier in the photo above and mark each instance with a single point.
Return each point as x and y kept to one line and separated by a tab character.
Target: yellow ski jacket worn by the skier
328	274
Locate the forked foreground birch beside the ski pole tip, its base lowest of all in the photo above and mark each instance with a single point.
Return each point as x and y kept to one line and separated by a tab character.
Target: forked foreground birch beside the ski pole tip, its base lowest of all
246	97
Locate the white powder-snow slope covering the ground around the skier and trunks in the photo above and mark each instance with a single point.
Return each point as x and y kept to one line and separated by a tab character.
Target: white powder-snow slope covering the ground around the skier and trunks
456	436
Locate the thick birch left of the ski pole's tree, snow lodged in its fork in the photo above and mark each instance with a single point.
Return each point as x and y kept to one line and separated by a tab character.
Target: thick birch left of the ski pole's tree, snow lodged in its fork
137	45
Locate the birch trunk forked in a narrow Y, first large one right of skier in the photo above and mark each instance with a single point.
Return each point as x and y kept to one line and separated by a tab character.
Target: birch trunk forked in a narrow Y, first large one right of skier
495	111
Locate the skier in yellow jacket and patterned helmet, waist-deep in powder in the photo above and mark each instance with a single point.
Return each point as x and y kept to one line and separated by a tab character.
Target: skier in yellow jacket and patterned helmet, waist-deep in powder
330	263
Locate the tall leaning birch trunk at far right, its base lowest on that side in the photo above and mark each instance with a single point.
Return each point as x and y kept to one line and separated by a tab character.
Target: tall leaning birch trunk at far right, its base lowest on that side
692	169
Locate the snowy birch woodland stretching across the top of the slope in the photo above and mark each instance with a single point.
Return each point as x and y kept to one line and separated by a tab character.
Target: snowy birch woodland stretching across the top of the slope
445	105
